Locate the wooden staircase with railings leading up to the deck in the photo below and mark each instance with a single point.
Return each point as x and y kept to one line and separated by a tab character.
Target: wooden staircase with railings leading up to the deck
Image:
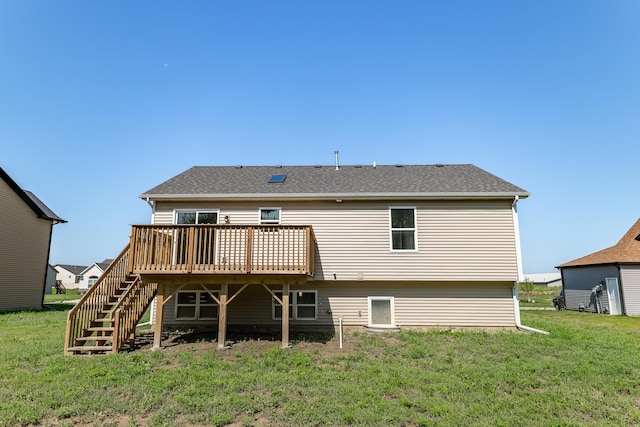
105	319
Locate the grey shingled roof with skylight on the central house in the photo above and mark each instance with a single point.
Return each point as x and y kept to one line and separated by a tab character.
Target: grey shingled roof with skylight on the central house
325	182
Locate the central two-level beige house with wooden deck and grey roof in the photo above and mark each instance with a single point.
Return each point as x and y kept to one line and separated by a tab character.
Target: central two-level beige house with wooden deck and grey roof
381	247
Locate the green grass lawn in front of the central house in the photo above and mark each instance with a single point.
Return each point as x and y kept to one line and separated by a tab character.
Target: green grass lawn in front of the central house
584	373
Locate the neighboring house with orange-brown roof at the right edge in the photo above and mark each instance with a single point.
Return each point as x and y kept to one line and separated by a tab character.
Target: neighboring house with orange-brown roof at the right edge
607	281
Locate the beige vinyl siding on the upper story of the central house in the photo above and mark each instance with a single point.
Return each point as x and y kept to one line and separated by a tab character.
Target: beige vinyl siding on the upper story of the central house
457	240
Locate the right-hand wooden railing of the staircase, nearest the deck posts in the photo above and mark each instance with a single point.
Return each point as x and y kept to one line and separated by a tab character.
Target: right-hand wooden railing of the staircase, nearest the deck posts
129	311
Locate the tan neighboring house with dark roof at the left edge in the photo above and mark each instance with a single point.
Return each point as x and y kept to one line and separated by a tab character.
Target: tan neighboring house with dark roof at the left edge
26	229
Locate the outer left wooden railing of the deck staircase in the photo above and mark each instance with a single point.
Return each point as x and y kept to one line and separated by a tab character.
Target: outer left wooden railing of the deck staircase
90	305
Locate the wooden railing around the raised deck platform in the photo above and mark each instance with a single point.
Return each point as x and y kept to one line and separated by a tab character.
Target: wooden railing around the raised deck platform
222	249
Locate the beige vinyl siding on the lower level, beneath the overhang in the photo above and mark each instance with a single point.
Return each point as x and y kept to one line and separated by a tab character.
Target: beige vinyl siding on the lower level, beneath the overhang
416	304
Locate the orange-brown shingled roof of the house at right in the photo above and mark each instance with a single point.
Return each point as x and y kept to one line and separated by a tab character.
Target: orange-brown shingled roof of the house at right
626	251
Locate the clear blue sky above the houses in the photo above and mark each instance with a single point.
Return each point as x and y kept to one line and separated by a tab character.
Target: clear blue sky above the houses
100	101
